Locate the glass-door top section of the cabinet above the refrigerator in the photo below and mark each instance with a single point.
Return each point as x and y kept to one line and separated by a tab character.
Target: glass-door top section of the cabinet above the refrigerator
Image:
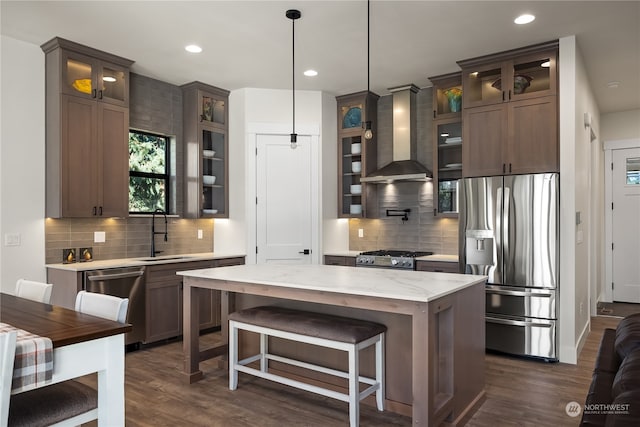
512	75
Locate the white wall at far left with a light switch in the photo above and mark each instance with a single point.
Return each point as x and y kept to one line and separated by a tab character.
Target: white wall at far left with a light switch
22	160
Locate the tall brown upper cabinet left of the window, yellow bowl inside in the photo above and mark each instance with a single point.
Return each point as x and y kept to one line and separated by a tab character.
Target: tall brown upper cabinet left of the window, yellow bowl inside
87	155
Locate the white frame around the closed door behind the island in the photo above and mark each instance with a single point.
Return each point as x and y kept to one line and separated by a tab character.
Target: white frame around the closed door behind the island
254	130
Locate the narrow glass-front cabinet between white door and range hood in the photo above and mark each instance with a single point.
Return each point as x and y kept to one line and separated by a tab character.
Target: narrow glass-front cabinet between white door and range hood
357	156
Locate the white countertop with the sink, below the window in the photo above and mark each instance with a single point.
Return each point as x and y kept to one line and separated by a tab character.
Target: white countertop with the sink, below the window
134	262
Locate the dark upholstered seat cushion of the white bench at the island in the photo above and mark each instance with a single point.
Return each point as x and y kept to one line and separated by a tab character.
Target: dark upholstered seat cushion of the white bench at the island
319	325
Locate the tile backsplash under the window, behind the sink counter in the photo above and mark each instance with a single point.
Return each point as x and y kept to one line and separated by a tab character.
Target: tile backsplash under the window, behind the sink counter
126	237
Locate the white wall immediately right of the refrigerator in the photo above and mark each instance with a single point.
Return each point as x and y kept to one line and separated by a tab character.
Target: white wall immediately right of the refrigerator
581	191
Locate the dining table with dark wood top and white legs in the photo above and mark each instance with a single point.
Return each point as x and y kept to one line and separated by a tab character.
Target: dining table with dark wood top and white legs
82	345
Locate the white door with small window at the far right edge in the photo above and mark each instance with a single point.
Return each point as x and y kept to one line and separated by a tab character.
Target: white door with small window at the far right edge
626	225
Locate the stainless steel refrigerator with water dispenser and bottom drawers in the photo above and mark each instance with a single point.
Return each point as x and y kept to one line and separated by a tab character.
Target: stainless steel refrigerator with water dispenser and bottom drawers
509	231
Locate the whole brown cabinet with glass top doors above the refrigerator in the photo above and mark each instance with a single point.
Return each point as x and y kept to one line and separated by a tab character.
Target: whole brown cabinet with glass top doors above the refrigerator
510	114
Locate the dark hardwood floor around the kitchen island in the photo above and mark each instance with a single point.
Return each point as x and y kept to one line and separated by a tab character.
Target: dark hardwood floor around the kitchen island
519	393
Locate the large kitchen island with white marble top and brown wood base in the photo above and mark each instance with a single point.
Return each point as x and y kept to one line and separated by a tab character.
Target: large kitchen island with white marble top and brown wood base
435	339
